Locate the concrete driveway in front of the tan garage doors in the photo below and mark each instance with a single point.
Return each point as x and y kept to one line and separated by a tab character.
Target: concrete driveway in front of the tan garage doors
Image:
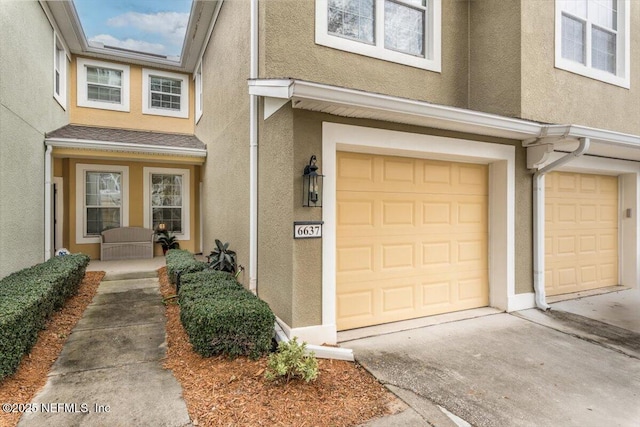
521	369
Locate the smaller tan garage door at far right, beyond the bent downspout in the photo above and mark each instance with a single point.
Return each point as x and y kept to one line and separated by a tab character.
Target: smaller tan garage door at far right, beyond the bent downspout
581	232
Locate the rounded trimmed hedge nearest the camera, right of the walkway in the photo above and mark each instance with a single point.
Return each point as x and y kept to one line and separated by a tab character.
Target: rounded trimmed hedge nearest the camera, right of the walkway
222	317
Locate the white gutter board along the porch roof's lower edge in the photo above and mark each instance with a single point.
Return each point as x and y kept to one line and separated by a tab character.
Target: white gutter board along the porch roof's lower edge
125	147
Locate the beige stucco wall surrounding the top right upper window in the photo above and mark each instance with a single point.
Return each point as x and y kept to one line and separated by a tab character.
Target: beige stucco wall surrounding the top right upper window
558	96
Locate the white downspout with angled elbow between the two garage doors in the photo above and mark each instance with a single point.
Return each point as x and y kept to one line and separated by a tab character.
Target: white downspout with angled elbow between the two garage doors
538	221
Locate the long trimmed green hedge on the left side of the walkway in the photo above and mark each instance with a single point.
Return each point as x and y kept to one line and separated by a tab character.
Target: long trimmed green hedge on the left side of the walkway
28	297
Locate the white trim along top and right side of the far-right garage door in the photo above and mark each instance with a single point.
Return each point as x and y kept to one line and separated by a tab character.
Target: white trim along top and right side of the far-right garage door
628	186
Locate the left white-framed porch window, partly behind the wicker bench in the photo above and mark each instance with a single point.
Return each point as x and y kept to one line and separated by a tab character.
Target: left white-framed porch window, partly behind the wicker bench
101	200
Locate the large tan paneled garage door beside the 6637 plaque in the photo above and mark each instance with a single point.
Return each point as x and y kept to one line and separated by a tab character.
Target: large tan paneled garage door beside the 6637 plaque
411	238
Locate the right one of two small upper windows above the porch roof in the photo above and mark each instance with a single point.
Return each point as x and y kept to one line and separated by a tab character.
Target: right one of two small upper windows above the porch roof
165	94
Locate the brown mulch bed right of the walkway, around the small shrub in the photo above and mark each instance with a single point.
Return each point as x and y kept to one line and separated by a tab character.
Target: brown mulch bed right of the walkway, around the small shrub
222	392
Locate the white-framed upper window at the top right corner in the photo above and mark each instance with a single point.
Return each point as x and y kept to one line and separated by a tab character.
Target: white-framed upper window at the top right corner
592	39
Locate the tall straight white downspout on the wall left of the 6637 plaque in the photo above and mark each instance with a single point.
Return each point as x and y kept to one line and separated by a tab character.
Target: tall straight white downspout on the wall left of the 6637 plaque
253	154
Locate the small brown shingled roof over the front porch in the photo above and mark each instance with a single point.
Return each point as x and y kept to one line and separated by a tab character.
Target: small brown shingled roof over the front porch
125	136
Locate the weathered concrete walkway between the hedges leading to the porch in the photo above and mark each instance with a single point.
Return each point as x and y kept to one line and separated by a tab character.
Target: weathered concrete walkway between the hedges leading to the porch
110	370
